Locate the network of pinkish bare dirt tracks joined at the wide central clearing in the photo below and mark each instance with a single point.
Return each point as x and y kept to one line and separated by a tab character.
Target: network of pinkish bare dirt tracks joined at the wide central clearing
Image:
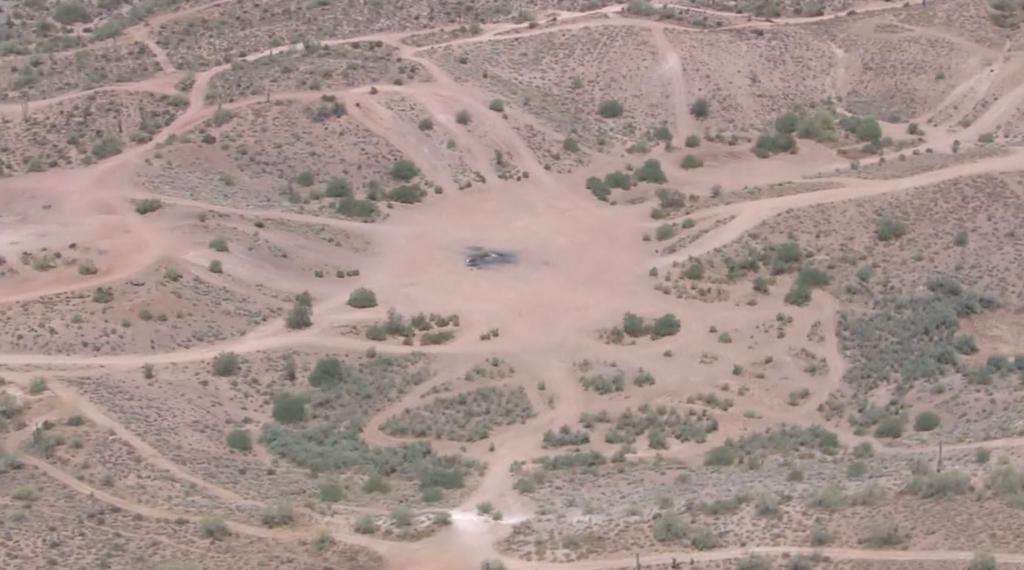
573	289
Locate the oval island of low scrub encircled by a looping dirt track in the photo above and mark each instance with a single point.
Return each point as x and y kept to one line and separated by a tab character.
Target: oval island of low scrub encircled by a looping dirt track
468	417
